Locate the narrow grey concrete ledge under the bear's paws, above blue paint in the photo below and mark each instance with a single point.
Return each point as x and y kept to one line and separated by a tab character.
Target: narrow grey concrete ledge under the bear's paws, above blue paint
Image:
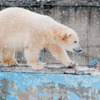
53	69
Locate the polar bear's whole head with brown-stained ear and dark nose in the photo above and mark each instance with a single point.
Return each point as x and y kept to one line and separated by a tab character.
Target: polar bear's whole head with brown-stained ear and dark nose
68	39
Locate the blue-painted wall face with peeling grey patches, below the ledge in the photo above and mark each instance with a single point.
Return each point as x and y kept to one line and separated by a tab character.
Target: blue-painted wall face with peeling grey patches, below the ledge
36	86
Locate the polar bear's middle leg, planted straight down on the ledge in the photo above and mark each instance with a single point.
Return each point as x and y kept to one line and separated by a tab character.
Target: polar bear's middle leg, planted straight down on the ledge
32	57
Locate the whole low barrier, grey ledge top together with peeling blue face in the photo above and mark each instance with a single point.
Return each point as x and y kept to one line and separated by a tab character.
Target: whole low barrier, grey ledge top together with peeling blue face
50	83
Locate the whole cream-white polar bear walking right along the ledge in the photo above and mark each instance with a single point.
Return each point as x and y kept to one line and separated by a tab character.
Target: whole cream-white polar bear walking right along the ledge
24	29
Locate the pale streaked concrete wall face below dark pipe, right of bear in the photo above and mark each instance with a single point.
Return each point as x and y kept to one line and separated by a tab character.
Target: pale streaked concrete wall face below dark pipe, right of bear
86	22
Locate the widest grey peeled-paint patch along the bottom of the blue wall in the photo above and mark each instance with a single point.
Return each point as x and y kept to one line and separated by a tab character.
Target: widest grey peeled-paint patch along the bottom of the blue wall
65	92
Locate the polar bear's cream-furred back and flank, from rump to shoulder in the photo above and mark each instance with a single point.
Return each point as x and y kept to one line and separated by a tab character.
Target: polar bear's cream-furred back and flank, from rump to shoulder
17	25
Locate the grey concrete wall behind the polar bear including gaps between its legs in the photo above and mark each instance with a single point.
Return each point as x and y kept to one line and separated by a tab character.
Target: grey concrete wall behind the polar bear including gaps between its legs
84	20
